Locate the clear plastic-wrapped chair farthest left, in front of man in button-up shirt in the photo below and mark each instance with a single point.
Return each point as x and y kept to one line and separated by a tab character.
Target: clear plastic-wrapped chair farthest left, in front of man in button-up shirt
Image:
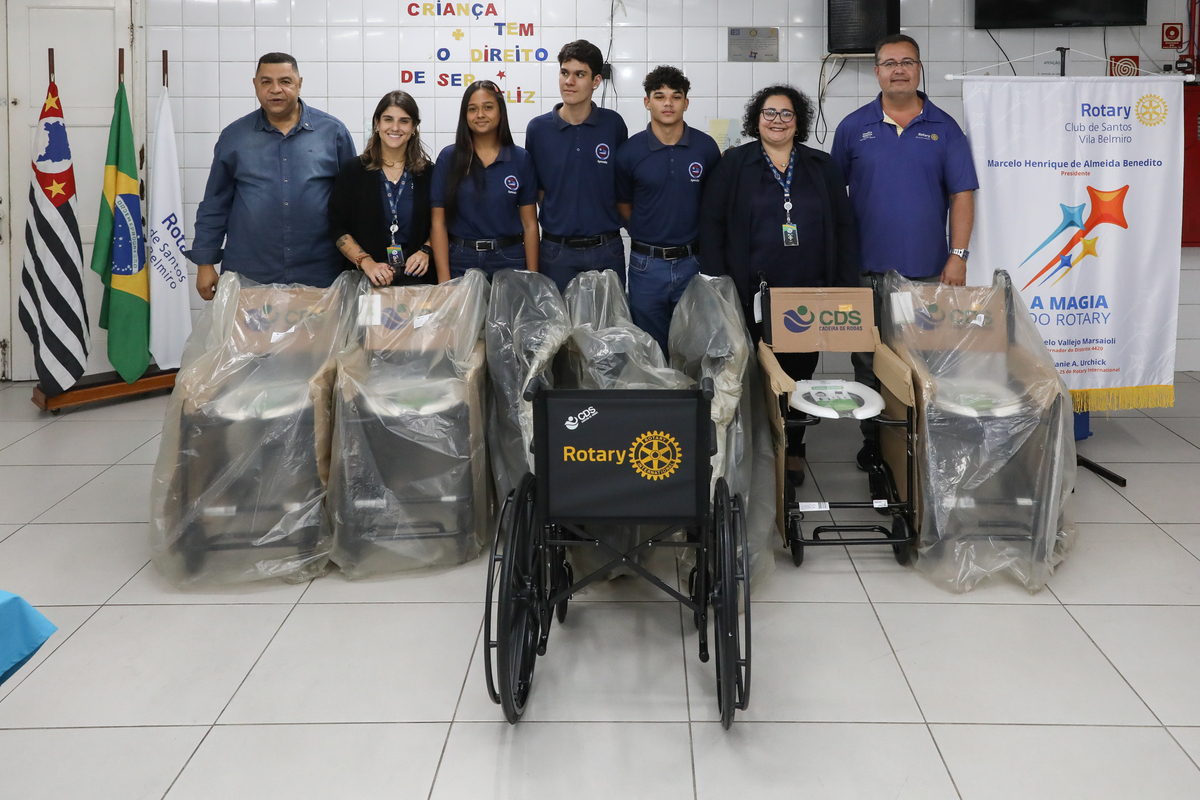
243	467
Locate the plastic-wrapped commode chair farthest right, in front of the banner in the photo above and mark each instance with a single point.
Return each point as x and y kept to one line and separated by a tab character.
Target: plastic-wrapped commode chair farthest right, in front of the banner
997	452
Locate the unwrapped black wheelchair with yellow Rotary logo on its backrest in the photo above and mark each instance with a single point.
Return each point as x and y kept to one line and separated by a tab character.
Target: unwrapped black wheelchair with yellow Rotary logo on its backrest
617	459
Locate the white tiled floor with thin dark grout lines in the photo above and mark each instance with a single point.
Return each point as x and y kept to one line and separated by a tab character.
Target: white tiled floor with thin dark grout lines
869	681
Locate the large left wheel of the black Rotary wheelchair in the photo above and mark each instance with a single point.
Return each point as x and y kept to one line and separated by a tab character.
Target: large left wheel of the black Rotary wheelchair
519	605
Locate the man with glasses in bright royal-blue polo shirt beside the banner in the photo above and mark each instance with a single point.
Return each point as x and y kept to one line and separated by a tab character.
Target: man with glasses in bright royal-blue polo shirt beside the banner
909	166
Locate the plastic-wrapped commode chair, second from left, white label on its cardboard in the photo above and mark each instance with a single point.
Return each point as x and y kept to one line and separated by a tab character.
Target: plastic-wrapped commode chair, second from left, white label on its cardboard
410	480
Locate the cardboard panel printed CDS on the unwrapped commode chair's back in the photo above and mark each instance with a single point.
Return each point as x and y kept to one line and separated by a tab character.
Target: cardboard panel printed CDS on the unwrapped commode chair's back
817	321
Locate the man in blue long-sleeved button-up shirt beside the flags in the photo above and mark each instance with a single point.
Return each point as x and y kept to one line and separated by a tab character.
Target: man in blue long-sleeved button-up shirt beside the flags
268	194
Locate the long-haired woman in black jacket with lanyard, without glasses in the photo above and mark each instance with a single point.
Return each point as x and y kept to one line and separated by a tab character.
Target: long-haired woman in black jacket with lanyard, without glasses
380	207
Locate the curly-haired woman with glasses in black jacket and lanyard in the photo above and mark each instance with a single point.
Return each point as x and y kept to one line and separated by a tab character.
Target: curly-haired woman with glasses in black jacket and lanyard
777	210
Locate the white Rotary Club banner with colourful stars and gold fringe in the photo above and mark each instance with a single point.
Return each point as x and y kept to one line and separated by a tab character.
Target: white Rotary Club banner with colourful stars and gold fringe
1081	200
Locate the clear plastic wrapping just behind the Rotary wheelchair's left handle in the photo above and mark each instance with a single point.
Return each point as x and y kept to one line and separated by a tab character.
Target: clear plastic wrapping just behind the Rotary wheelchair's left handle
527	324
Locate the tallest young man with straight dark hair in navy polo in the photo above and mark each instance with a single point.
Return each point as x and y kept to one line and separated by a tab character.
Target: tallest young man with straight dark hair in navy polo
574	152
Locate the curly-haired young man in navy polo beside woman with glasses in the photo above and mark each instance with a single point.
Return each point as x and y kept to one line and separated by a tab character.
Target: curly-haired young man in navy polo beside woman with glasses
661	178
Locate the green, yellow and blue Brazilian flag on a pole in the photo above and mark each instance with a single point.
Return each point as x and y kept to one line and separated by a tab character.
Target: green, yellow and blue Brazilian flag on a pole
121	254
